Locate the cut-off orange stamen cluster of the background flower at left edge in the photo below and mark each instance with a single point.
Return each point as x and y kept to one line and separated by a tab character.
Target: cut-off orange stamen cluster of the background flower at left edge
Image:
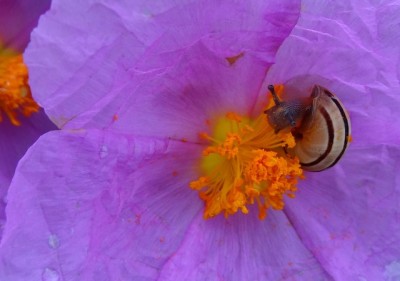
15	93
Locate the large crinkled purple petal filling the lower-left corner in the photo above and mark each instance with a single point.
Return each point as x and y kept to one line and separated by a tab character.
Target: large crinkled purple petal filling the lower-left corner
91	205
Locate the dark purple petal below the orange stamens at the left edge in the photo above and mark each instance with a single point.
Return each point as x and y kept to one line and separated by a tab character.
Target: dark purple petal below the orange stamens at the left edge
14	142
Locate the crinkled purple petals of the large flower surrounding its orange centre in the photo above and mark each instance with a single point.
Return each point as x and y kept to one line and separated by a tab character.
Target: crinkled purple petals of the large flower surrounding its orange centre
132	85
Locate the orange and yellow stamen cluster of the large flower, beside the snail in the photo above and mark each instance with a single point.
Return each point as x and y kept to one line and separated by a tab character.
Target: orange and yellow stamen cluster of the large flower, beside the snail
246	163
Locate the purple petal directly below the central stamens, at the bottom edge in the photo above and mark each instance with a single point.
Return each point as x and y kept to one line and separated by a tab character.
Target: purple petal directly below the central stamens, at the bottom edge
243	248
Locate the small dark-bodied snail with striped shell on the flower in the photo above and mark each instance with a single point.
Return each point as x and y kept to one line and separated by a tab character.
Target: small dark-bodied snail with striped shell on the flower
320	125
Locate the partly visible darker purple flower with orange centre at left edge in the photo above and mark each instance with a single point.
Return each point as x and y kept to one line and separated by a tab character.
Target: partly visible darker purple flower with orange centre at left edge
17	19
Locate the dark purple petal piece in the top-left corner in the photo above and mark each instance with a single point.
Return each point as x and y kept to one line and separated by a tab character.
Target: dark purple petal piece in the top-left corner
17	19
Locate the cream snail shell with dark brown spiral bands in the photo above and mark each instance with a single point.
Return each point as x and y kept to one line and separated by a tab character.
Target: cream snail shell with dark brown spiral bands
323	136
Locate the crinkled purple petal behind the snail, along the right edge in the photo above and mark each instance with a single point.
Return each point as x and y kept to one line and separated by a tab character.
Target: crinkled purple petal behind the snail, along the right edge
349	216
